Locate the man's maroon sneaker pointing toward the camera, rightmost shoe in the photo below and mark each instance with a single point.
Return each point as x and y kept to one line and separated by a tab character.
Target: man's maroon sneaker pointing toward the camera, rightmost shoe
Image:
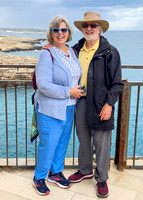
102	189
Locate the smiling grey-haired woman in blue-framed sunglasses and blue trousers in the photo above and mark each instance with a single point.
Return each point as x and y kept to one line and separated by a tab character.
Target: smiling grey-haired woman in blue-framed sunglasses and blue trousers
57	77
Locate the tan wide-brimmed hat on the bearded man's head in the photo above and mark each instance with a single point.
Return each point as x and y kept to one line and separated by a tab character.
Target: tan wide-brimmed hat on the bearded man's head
92	17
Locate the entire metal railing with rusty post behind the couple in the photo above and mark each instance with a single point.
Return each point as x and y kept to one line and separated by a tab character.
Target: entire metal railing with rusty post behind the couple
122	130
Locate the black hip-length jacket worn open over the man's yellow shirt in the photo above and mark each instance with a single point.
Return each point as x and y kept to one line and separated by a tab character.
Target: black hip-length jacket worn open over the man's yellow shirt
103	83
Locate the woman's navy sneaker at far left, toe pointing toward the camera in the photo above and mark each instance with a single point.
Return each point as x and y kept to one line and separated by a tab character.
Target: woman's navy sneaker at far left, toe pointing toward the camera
40	186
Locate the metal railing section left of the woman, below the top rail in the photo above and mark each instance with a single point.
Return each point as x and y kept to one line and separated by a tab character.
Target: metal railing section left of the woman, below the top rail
5	160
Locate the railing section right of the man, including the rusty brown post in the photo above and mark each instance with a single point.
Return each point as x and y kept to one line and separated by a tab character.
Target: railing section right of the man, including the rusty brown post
123	122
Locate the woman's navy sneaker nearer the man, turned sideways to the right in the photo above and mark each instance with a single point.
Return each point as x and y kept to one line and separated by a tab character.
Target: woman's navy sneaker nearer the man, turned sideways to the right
59	179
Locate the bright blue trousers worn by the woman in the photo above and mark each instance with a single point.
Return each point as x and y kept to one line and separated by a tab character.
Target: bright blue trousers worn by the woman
54	135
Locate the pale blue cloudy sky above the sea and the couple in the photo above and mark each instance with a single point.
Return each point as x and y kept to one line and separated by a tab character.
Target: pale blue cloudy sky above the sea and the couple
121	14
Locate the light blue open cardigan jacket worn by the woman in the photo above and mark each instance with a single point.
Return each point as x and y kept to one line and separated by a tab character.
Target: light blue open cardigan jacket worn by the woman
53	81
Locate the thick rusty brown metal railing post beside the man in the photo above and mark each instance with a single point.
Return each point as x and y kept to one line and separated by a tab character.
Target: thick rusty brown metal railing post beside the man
122	127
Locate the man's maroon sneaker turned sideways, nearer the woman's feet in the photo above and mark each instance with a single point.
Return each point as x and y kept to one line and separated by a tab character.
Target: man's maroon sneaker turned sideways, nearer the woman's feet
78	176
